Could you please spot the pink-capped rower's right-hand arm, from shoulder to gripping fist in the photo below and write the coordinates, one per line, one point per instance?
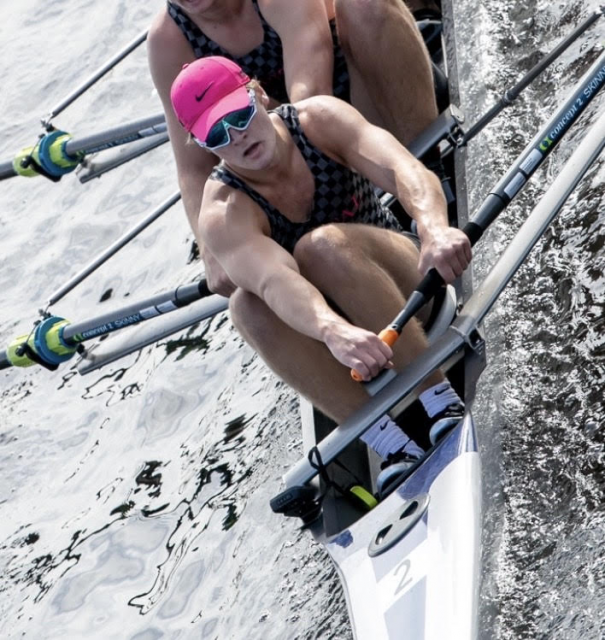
(340, 130)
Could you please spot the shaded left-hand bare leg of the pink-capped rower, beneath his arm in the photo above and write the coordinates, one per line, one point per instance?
(303, 363)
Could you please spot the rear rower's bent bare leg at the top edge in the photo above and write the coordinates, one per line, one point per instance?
(389, 67)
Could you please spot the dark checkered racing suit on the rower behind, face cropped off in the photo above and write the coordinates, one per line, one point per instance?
(265, 63)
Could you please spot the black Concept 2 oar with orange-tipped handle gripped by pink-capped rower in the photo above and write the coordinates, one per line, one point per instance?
(509, 186)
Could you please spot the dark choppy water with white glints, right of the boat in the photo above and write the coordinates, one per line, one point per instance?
(541, 397)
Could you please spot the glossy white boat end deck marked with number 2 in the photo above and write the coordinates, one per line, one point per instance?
(425, 587)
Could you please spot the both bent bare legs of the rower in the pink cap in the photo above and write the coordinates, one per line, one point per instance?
(364, 270)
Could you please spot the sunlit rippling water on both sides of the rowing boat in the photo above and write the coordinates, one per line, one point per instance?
(134, 500)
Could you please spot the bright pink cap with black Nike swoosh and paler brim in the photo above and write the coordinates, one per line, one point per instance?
(205, 91)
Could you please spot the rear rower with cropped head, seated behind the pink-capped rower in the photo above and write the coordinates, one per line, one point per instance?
(370, 53)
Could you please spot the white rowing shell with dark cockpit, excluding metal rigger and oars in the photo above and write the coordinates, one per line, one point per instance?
(410, 567)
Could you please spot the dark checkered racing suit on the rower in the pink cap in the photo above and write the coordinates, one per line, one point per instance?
(341, 195)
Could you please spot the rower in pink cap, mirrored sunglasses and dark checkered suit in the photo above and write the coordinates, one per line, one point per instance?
(290, 218)
